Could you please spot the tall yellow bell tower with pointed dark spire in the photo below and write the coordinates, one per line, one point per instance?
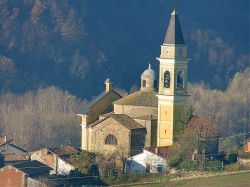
(172, 94)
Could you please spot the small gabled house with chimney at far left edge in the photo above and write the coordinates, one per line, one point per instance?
(11, 152)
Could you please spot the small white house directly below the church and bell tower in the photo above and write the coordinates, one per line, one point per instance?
(146, 161)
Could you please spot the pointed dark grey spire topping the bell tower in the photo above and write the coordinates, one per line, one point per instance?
(174, 33)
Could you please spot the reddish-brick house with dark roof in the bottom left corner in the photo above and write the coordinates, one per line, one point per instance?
(29, 173)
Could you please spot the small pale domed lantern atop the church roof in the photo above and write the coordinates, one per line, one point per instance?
(148, 79)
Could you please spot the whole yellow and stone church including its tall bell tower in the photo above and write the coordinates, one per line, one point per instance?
(146, 118)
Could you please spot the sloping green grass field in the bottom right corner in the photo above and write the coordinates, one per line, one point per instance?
(234, 180)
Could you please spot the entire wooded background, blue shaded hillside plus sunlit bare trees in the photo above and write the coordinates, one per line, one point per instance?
(51, 52)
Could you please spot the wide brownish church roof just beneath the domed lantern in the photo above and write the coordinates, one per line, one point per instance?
(139, 98)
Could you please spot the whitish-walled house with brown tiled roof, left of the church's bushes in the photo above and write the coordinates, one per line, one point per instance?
(56, 158)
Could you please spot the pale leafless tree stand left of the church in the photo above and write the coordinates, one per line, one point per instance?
(43, 118)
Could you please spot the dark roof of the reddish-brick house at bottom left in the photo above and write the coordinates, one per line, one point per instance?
(32, 168)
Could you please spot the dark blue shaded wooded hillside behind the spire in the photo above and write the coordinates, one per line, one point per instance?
(67, 43)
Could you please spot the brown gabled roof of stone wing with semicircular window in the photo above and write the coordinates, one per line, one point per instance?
(123, 119)
